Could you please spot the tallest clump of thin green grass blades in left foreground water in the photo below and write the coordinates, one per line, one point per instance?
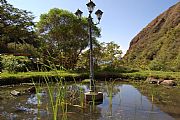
(56, 93)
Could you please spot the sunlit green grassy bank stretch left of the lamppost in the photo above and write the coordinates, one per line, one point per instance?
(29, 77)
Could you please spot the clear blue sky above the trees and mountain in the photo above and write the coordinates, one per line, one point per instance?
(121, 21)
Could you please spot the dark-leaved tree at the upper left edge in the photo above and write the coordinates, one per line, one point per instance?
(16, 26)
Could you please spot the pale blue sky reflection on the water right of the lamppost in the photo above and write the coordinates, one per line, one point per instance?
(130, 104)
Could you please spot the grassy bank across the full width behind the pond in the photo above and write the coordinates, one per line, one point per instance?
(9, 78)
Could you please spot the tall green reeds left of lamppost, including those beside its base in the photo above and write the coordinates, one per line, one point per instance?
(58, 93)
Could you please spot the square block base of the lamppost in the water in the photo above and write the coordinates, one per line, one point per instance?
(94, 96)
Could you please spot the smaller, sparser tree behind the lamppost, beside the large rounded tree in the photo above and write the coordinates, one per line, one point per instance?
(105, 55)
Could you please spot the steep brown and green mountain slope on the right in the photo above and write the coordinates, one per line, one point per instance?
(157, 46)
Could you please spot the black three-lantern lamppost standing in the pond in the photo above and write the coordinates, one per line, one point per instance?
(91, 5)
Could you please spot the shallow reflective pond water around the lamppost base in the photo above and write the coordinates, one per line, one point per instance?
(121, 102)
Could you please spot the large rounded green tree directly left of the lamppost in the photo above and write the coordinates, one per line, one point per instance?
(64, 36)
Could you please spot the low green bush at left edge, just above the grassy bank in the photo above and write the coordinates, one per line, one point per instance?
(15, 64)
